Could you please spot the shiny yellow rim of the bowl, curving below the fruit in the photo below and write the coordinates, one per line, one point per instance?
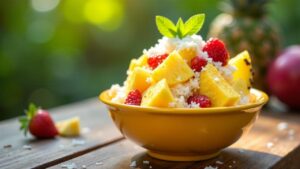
(262, 99)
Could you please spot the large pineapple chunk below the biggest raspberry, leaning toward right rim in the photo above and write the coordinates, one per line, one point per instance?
(213, 85)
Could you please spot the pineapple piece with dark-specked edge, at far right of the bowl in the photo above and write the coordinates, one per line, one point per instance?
(242, 77)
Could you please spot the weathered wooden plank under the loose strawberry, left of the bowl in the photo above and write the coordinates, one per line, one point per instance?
(44, 153)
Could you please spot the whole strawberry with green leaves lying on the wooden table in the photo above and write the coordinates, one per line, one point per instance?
(38, 122)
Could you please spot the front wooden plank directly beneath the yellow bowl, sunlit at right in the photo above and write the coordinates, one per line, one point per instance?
(264, 147)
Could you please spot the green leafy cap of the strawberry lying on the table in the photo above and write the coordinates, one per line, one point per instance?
(29, 114)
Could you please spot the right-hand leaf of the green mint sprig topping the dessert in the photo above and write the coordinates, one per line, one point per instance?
(194, 24)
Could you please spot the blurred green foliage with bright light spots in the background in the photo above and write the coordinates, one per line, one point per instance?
(53, 52)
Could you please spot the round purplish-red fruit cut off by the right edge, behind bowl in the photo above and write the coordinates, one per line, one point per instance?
(284, 77)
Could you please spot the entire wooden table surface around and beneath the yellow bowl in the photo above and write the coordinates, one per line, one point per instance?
(274, 142)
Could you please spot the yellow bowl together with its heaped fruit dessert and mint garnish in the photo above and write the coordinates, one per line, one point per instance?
(184, 99)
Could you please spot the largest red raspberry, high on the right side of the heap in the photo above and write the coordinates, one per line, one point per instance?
(216, 50)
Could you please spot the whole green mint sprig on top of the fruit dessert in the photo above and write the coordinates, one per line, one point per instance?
(182, 29)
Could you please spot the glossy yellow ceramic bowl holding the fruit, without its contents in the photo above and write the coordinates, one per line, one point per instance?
(184, 134)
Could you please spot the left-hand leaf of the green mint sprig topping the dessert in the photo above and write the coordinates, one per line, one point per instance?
(165, 26)
